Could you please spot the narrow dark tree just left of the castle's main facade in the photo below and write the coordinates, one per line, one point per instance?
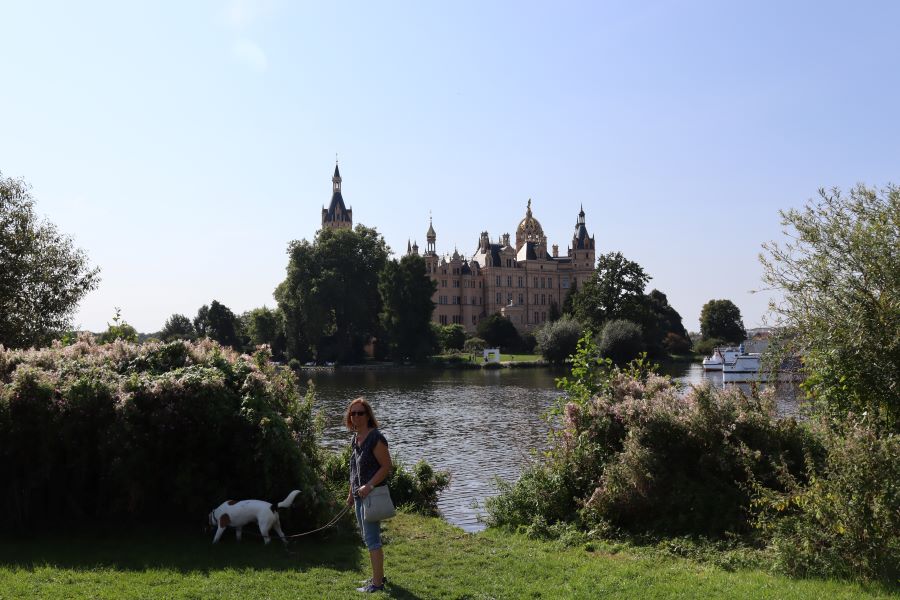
(406, 291)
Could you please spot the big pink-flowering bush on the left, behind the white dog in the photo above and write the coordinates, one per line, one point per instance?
(126, 433)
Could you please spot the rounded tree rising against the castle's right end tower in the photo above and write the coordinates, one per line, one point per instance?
(616, 291)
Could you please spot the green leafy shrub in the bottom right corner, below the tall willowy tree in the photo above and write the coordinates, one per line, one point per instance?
(846, 520)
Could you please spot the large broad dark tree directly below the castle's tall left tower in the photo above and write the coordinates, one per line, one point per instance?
(330, 296)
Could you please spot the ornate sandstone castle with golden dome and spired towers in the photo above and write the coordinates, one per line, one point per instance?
(521, 282)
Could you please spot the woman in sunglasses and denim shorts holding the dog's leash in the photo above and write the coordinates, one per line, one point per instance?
(370, 464)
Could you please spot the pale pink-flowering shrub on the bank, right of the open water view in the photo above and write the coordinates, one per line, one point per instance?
(632, 453)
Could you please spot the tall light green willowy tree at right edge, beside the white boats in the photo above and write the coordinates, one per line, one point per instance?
(840, 278)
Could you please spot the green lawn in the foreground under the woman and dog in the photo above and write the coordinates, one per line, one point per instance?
(425, 558)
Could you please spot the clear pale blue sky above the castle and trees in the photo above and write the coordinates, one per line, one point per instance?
(184, 144)
